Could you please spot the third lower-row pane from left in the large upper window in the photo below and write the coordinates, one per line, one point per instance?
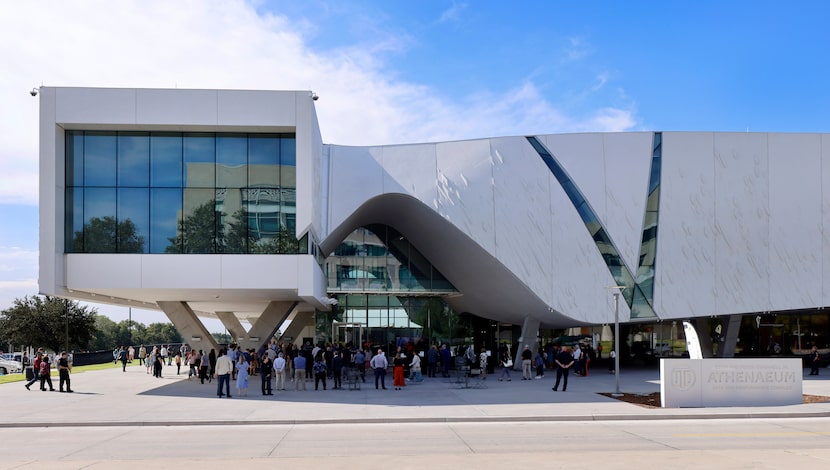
(133, 220)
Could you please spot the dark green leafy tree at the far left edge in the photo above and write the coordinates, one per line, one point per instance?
(45, 321)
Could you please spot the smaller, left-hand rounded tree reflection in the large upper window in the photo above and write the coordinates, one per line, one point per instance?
(104, 235)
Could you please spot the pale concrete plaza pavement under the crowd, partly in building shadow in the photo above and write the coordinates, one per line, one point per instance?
(115, 398)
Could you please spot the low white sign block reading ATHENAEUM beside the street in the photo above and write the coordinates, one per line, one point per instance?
(695, 383)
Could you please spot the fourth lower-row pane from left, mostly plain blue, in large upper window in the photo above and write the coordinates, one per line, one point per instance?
(165, 209)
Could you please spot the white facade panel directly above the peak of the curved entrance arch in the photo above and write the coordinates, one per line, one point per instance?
(411, 169)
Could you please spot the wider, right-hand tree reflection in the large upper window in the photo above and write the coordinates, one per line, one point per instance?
(199, 232)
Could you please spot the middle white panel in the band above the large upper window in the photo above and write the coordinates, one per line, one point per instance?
(176, 107)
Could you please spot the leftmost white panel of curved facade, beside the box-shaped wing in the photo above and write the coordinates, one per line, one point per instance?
(356, 177)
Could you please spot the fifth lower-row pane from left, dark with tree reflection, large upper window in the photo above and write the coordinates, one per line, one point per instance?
(197, 233)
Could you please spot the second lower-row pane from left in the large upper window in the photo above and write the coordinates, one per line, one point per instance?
(99, 220)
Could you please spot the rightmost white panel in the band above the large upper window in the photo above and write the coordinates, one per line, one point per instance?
(263, 108)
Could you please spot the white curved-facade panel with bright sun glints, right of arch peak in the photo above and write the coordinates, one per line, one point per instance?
(465, 193)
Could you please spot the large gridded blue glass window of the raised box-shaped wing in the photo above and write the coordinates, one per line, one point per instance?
(168, 192)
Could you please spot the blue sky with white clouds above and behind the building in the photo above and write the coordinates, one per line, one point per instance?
(391, 72)
